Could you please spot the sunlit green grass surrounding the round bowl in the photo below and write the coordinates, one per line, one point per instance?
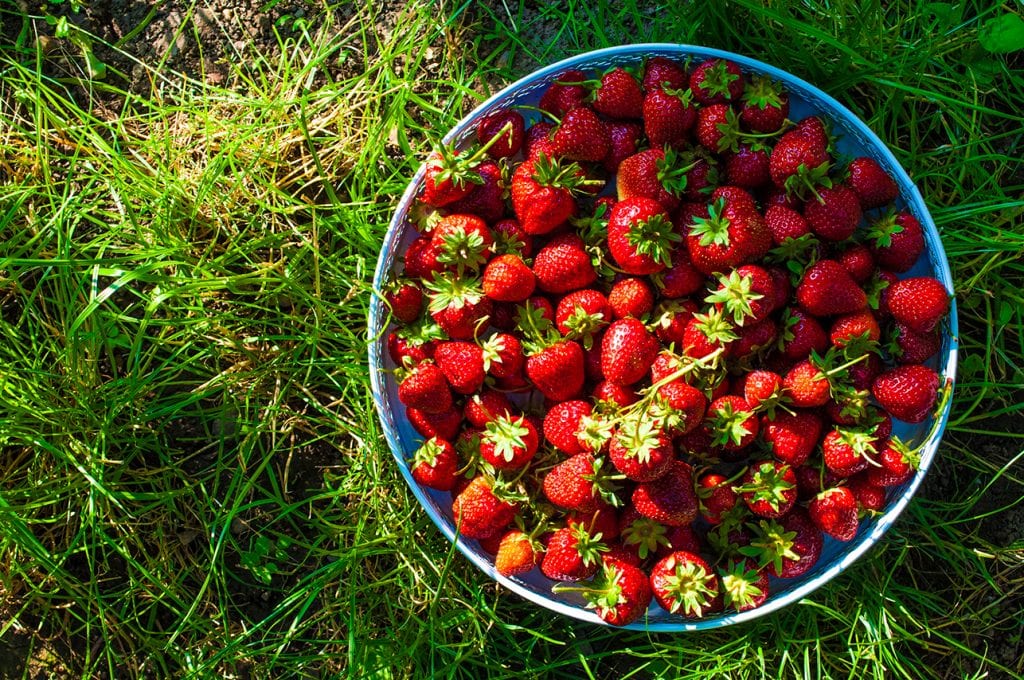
(193, 482)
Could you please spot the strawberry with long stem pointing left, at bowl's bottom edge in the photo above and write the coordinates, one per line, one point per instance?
(620, 593)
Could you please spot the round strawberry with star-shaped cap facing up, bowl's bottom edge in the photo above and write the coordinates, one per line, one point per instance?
(685, 584)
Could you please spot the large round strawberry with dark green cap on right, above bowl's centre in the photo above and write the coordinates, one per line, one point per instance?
(642, 236)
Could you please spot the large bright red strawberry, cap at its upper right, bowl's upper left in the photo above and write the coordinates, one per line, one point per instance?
(543, 191)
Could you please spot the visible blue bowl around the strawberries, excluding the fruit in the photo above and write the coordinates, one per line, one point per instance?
(856, 139)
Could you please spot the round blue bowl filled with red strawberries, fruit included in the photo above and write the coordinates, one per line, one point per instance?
(665, 337)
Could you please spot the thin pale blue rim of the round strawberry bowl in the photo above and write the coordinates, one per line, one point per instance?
(882, 524)
